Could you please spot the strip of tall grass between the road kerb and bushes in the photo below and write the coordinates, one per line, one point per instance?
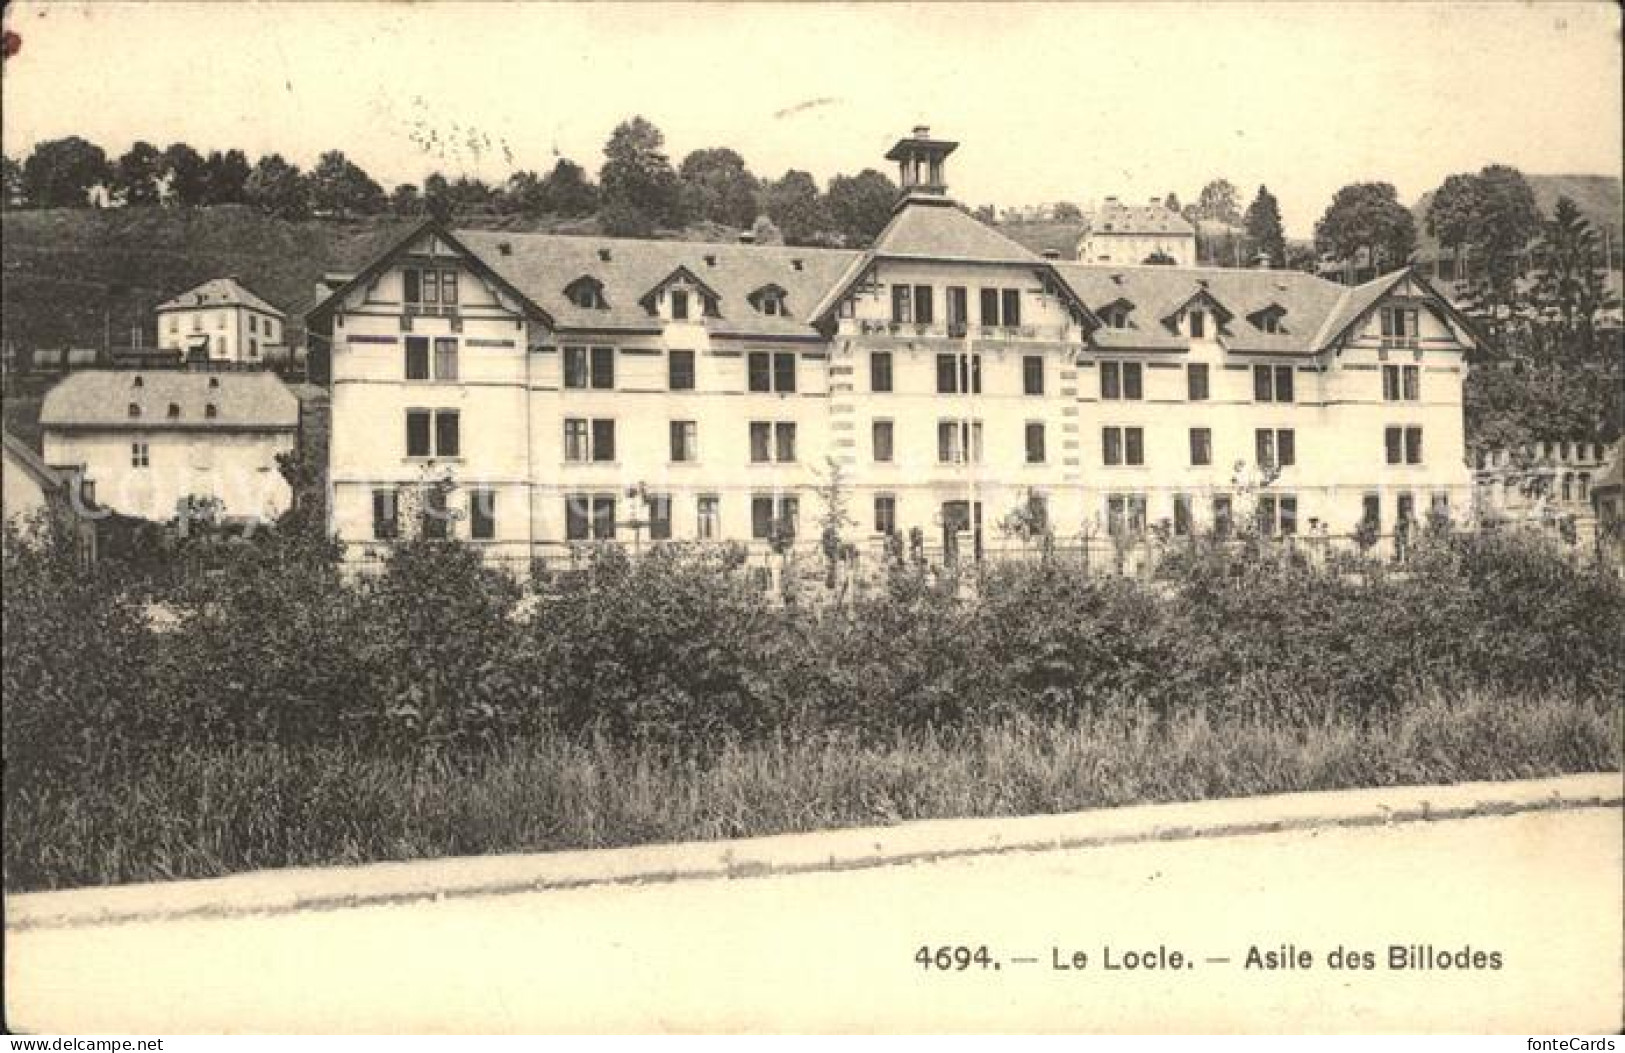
(209, 812)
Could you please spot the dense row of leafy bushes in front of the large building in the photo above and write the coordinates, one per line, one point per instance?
(440, 656)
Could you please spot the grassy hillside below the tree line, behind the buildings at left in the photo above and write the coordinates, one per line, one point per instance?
(58, 264)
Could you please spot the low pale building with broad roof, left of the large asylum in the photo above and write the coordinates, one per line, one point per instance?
(147, 441)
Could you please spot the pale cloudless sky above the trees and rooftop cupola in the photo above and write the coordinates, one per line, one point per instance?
(1051, 102)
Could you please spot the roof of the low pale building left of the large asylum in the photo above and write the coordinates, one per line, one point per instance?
(102, 399)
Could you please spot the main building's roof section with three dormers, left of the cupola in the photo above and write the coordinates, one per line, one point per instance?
(545, 264)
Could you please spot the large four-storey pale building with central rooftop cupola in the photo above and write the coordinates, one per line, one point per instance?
(948, 378)
